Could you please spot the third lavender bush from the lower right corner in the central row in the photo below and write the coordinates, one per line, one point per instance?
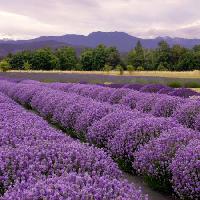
(135, 133)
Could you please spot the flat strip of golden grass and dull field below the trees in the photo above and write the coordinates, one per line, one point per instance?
(189, 79)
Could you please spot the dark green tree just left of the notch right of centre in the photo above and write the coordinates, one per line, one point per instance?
(113, 56)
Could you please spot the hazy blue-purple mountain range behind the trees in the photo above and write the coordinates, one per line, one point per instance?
(123, 41)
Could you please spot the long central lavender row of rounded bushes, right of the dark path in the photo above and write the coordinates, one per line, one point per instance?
(147, 143)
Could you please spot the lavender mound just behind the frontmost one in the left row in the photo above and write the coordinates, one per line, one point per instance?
(47, 158)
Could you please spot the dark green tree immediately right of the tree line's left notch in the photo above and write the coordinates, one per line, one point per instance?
(86, 60)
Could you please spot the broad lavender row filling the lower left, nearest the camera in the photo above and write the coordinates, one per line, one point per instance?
(37, 161)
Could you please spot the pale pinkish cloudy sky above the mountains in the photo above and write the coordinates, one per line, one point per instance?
(25, 19)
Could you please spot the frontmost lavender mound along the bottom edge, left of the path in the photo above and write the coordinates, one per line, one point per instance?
(75, 186)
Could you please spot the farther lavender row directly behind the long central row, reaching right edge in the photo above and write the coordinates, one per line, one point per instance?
(185, 112)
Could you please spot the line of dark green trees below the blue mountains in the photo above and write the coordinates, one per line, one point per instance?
(163, 58)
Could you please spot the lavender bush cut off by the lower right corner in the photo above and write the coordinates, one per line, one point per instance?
(186, 171)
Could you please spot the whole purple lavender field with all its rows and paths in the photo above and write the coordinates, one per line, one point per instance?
(93, 137)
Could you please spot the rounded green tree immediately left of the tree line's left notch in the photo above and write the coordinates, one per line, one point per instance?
(67, 58)
